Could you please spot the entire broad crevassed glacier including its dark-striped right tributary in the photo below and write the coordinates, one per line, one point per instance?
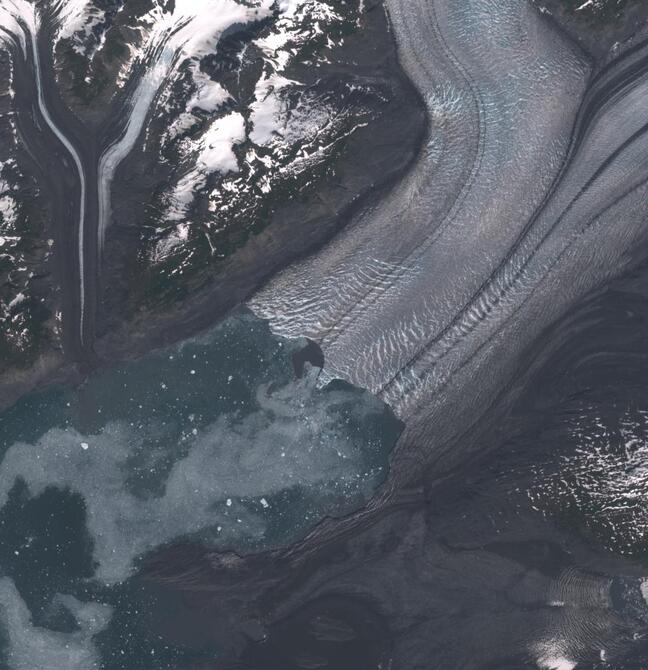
(528, 196)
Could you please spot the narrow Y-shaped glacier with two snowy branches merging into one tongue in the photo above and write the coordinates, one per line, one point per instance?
(172, 36)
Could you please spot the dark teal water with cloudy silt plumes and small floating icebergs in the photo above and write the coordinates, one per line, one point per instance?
(213, 442)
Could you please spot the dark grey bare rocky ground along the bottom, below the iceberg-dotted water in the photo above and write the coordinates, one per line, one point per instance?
(432, 584)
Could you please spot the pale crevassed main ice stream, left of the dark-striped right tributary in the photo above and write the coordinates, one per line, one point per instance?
(404, 271)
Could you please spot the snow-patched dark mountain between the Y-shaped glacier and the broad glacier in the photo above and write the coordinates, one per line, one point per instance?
(225, 142)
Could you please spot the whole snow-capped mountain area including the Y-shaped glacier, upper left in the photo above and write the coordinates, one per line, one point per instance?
(195, 127)
